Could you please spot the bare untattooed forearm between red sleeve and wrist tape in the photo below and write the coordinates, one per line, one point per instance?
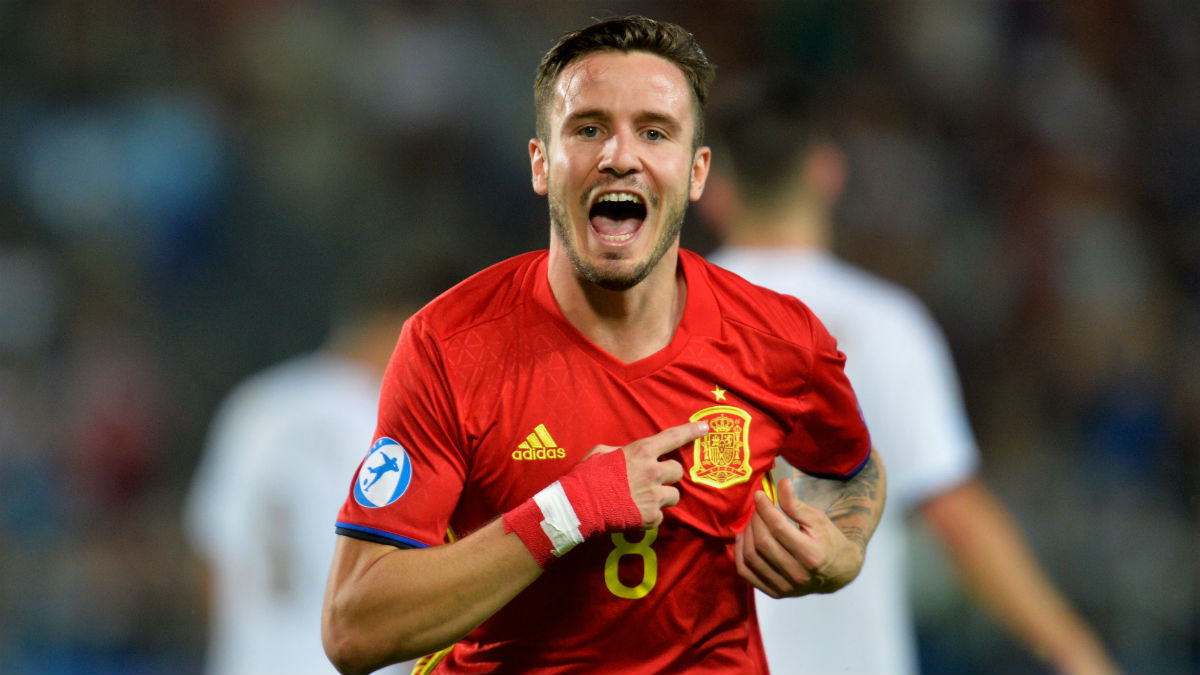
(387, 605)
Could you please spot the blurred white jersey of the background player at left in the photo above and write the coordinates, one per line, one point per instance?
(260, 505)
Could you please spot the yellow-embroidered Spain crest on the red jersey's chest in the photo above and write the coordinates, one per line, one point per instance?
(722, 458)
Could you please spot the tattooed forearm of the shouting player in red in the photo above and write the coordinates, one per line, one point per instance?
(855, 506)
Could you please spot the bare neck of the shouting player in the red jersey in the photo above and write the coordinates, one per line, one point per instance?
(629, 325)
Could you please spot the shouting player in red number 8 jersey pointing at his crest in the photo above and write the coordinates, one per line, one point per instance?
(583, 435)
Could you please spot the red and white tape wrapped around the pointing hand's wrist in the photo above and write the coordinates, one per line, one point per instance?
(593, 498)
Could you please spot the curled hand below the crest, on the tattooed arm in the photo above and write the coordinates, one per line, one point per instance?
(785, 560)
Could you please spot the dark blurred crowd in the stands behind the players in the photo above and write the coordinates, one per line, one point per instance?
(183, 184)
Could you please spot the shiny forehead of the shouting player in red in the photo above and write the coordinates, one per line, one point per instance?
(631, 82)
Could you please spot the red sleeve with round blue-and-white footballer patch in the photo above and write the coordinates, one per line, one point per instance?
(409, 485)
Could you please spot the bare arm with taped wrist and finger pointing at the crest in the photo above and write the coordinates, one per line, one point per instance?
(385, 605)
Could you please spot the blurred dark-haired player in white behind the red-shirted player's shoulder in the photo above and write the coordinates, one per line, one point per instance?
(771, 199)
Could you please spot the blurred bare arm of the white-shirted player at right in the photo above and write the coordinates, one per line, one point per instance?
(999, 569)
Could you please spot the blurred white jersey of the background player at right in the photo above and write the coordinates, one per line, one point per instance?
(904, 377)
